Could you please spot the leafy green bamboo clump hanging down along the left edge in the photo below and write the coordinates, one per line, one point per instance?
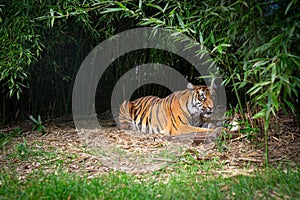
(20, 46)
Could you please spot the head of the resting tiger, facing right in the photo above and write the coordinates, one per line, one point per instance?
(202, 100)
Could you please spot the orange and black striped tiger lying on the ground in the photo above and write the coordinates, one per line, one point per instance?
(181, 112)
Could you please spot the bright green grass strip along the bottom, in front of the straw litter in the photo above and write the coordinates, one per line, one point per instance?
(174, 183)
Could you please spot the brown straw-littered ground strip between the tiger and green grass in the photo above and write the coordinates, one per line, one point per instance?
(112, 149)
